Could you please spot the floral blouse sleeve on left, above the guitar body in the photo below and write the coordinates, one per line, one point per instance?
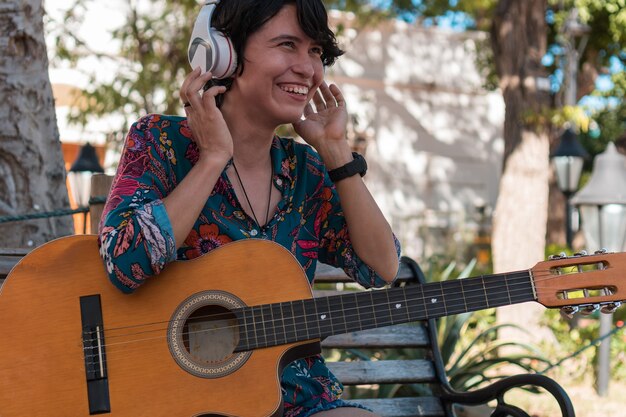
(136, 237)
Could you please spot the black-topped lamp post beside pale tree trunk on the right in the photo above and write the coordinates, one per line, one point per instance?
(568, 161)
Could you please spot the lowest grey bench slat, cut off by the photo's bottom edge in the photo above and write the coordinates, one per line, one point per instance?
(404, 407)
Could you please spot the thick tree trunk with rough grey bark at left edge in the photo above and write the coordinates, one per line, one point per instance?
(32, 173)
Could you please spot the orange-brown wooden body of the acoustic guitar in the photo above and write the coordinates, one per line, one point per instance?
(42, 361)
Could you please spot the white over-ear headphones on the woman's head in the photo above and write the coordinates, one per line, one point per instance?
(209, 48)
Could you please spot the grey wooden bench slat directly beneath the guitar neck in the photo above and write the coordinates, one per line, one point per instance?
(399, 336)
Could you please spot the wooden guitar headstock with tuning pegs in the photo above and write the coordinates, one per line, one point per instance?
(581, 282)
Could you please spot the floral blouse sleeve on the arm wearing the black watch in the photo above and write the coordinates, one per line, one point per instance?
(335, 246)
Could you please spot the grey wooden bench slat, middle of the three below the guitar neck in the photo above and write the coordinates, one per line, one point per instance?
(383, 372)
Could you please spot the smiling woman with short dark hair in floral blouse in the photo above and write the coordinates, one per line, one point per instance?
(187, 185)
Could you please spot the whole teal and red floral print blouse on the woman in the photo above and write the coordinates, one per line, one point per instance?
(136, 238)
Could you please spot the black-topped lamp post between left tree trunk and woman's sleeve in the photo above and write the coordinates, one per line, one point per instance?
(79, 176)
